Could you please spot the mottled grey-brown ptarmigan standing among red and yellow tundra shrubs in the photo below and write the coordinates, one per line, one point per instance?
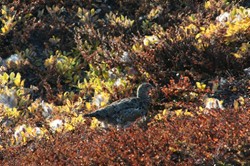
(127, 110)
